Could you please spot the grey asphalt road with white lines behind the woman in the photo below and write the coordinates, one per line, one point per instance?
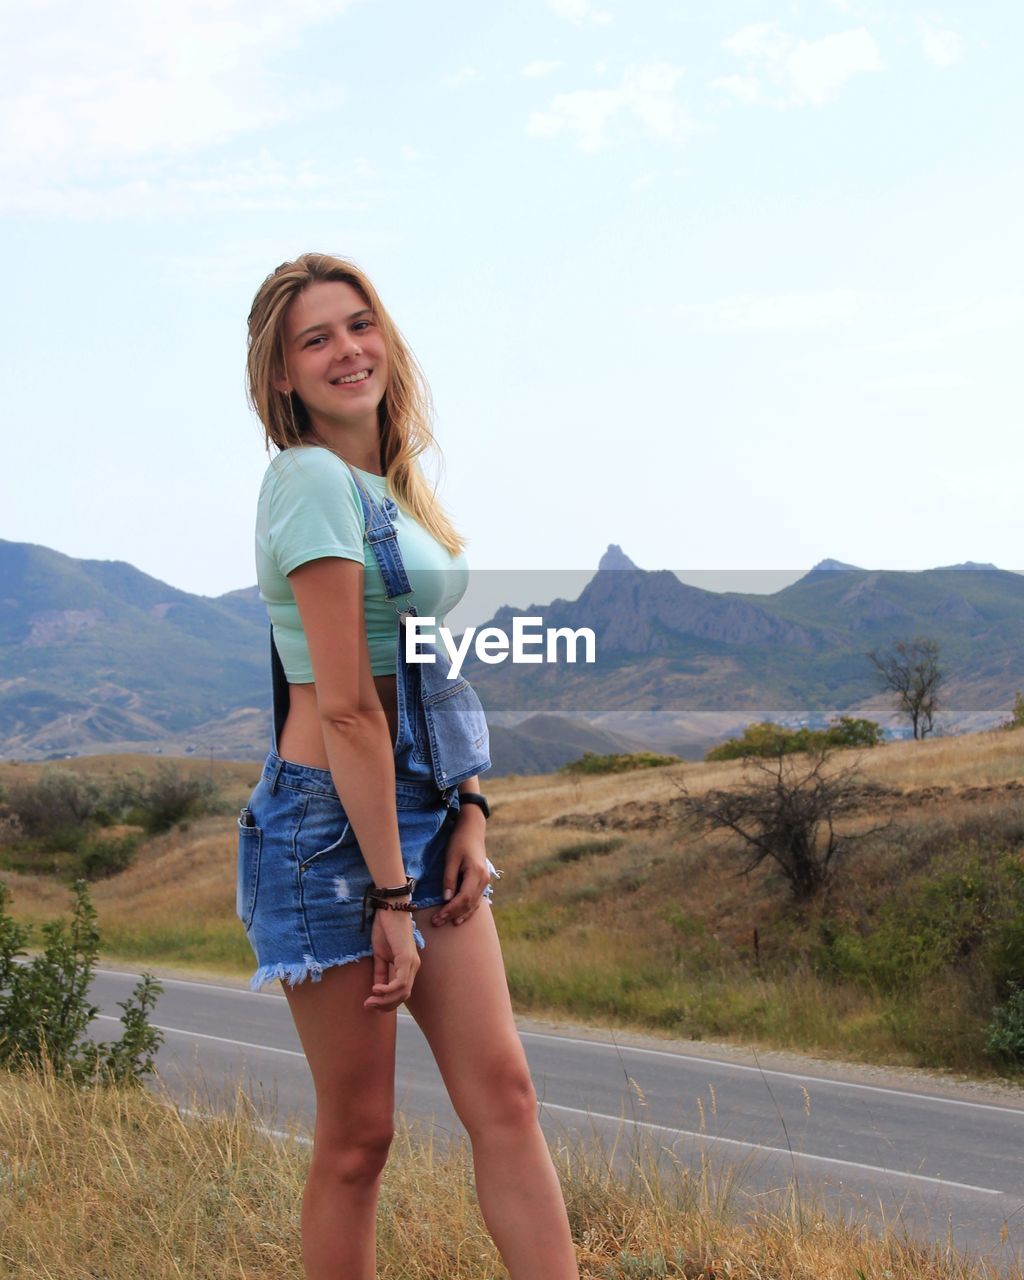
(939, 1164)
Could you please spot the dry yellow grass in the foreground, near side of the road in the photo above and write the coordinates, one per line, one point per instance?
(122, 1185)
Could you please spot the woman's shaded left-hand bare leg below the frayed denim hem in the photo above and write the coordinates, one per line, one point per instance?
(351, 1057)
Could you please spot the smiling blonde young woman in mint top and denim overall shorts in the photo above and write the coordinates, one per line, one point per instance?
(360, 844)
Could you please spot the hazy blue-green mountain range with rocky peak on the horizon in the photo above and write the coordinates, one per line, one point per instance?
(99, 656)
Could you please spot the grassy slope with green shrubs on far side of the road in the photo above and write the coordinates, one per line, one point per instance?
(618, 909)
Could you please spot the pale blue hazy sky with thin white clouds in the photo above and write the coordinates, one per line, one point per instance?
(735, 286)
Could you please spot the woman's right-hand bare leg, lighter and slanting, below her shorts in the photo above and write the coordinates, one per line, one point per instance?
(461, 1003)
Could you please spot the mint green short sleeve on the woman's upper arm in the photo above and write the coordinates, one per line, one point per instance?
(314, 510)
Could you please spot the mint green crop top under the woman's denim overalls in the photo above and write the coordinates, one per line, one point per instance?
(309, 509)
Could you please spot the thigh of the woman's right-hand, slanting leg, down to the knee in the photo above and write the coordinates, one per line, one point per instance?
(463, 1005)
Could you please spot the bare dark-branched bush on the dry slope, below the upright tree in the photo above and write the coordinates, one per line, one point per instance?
(787, 811)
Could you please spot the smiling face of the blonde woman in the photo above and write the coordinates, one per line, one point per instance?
(336, 358)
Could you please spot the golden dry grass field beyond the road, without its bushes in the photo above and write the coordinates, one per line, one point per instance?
(615, 915)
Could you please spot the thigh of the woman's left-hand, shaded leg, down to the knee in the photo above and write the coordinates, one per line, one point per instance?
(350, 1052)
